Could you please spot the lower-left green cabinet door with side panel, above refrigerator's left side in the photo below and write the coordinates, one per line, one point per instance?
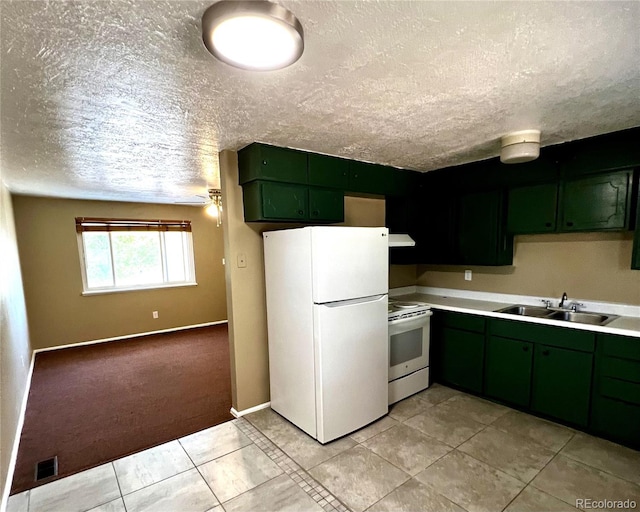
(266, 200)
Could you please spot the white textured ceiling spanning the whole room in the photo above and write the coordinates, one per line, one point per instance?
(120, 100)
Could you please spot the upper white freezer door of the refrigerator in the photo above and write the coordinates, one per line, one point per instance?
(349, 263)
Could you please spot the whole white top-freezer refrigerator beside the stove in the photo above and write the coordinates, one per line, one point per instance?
(326, 289)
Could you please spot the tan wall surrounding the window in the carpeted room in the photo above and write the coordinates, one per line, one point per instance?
(58, 312)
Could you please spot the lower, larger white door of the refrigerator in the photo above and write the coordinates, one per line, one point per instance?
(352, 364)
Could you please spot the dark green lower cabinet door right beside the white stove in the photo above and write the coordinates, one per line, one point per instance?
(460, 358)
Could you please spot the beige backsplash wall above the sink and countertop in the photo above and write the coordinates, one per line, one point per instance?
(588, 266)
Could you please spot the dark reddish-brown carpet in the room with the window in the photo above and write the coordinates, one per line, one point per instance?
(93, 404)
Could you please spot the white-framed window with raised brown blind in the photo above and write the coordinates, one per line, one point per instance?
(123, 254)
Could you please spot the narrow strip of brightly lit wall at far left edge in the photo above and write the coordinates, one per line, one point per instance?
(15, 350)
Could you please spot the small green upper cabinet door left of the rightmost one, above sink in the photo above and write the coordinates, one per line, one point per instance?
(532, 209)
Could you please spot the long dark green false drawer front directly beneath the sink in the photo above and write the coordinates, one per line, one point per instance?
(553, 336)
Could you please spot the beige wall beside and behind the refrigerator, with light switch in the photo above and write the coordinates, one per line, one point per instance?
(246, 289)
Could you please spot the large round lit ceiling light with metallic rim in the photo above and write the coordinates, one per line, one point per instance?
(252, 34)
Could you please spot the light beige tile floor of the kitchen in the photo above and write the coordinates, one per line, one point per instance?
(440, 450)
